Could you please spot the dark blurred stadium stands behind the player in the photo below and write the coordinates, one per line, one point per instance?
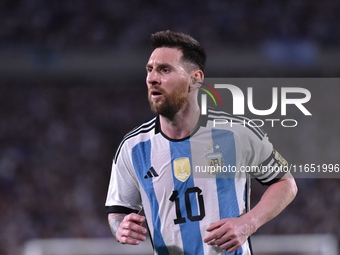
(73, 83)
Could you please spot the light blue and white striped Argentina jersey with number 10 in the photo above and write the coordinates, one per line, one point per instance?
(186, 185)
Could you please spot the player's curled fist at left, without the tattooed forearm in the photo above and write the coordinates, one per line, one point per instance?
(130, 229)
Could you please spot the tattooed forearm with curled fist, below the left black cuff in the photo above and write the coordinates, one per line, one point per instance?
(126, 228)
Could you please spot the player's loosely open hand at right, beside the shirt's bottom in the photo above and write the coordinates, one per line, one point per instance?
(230, 233)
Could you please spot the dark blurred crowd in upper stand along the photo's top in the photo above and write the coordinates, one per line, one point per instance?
(62, 24)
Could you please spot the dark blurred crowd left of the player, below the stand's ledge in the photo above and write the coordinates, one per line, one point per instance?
(56, 150)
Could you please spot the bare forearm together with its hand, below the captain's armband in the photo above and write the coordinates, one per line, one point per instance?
(230, 234)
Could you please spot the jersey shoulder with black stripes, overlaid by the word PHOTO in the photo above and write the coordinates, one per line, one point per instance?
(236, 123)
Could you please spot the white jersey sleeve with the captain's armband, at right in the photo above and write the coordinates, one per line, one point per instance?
(263, 162)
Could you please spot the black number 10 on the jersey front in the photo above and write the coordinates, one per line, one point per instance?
(175, 198)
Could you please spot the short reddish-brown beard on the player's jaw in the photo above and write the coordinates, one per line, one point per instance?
(171, 105)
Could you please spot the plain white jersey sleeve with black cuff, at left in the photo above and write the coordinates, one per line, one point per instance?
(123, 194)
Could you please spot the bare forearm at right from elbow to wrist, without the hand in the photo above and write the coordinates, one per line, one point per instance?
(274, 200)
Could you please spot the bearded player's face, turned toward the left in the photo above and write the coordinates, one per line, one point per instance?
(168, 82)
